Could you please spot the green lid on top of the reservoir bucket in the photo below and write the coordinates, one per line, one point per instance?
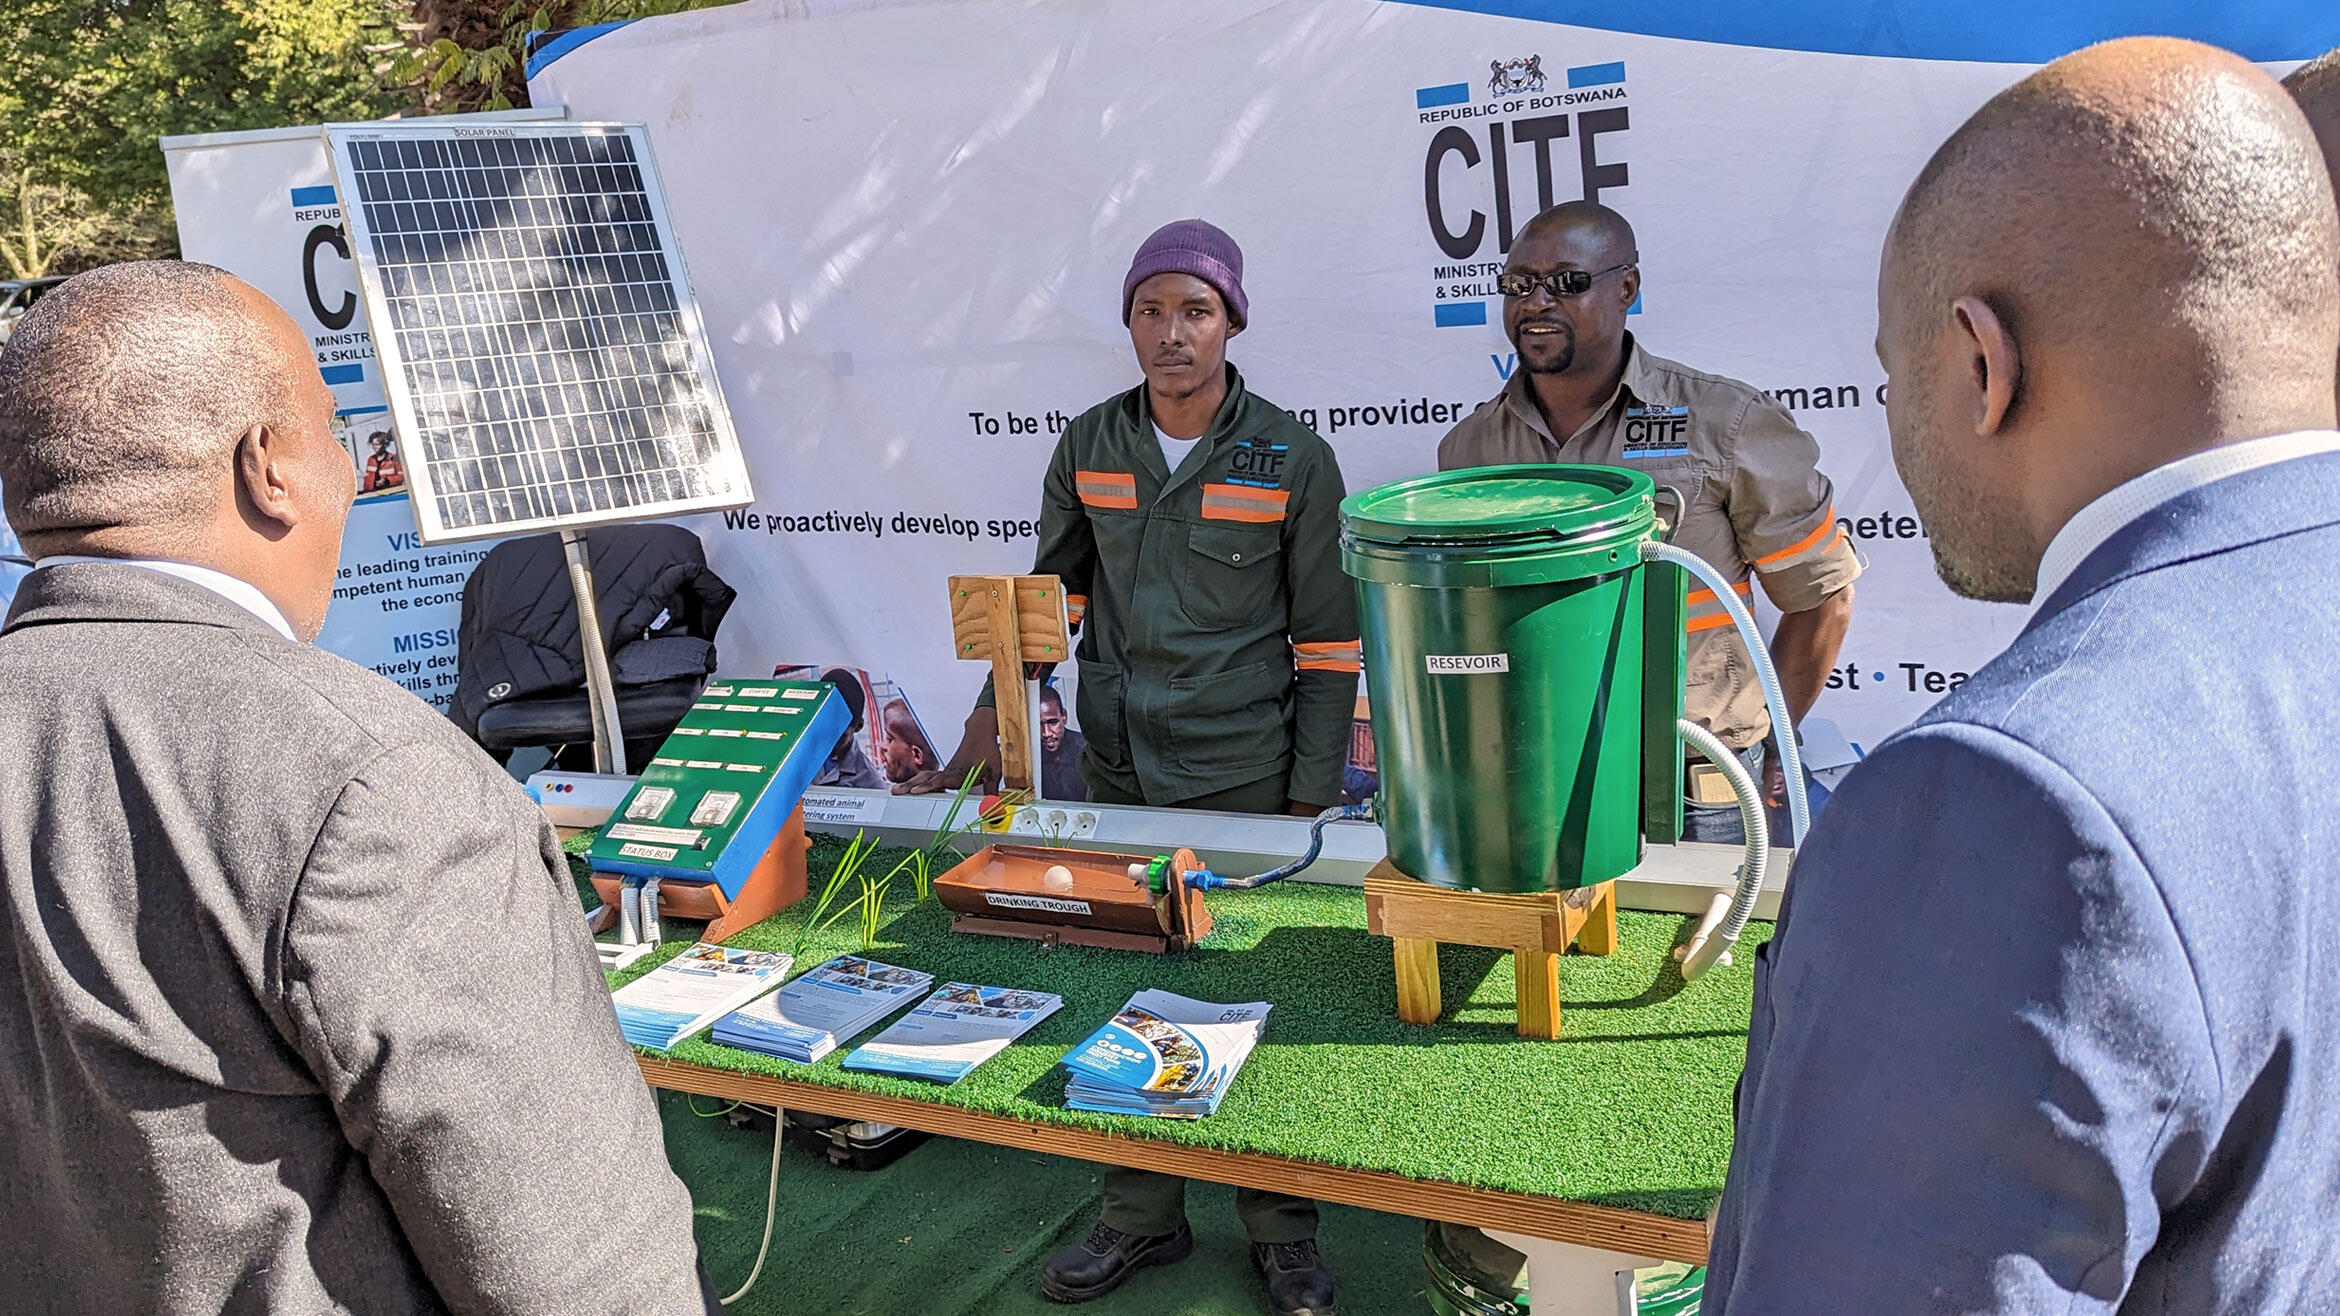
(1501, 523)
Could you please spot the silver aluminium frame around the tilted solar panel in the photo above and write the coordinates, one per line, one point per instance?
(727, 465)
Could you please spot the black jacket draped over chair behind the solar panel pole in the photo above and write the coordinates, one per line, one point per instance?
(521, 671)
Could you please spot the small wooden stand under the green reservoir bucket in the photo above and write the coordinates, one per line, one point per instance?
(1536, 928)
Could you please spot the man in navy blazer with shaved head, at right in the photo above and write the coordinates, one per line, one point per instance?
(2053, 1013)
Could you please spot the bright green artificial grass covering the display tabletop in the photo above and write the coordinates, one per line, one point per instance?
(1630, 1109)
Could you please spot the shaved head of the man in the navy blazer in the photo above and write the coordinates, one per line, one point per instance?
(2124, 259)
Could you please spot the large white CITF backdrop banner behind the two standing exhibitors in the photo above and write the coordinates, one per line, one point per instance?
(909, 228)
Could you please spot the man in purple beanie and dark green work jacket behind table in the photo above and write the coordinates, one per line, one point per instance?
(1197, 530)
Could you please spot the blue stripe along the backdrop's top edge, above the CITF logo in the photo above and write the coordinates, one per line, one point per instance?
(1993, 32)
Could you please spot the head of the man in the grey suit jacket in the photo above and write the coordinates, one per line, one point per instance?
(170, 411)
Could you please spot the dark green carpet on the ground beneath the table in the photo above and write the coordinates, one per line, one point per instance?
(963, 1231)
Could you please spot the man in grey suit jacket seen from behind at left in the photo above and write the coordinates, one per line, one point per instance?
(296, 1001)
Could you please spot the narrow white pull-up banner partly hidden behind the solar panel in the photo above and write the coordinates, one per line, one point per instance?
(263, 207)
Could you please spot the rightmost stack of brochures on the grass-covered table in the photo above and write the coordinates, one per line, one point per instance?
(1164, 1055)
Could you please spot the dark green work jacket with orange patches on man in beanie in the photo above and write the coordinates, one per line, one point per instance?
(1218, 631)
